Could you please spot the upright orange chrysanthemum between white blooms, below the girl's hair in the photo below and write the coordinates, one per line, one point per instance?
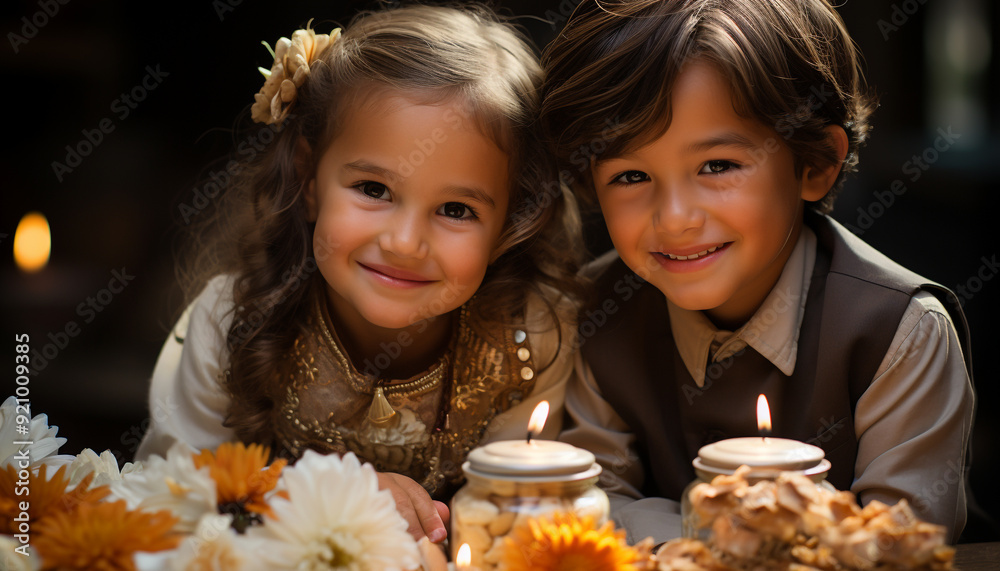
(240, 478)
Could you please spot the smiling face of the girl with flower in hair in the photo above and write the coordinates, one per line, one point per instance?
(409, 201)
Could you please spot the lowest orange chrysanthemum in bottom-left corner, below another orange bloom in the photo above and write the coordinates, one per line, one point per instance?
(102, 537)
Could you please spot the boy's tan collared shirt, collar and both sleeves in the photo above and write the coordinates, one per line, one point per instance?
(913, 423)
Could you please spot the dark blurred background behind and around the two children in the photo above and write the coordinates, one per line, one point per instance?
(934, 65)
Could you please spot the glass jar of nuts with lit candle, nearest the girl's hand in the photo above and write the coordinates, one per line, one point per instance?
(509, 482)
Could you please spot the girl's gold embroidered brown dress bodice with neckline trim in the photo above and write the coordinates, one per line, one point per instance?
(443, 412)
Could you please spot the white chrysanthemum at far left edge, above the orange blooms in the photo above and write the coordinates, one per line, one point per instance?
(44, 443)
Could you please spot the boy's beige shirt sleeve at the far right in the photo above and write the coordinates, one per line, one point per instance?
(914, 422)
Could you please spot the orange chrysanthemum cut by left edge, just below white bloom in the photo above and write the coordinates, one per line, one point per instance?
(47, 496)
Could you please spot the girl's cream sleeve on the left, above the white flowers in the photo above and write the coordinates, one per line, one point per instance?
(186, 401)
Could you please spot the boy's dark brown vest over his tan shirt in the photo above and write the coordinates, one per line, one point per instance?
(855, 301)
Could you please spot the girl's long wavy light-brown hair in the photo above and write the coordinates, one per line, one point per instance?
(436, 54)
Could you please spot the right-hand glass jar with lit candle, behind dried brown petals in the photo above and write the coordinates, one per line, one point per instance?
(766, 458)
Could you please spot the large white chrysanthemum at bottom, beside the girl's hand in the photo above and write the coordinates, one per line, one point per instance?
(335, 518)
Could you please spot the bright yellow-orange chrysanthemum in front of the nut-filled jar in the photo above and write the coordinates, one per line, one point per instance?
(566, 542)
